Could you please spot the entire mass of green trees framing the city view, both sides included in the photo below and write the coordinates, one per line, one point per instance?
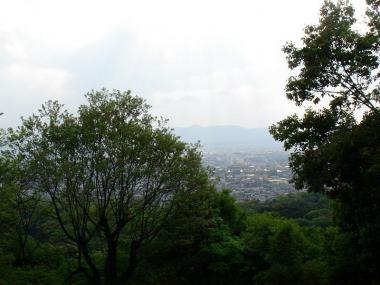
(109, 195)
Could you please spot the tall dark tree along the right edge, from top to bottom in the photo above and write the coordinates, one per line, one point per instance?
(336, 144)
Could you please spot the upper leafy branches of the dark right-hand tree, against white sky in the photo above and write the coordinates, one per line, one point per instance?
(334, 61)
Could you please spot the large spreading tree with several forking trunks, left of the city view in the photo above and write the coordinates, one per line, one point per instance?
(110, 171)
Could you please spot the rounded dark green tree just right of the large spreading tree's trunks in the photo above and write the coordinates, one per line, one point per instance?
(198, 244)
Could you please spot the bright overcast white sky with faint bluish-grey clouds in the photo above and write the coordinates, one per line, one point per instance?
(199, 62)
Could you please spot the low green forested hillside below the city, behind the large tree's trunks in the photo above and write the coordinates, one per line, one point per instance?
(208, 239)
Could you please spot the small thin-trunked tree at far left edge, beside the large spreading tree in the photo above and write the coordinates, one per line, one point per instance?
(23, 216)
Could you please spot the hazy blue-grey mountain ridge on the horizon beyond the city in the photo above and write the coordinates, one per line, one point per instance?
(229, 137)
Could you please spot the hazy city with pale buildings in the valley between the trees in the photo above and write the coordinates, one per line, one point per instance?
(249, 174)
